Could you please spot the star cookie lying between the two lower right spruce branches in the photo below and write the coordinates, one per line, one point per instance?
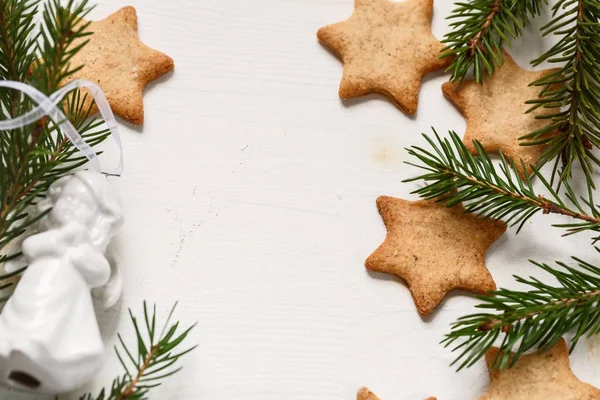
(434, 248)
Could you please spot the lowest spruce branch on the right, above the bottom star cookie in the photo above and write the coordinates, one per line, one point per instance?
(536, 318)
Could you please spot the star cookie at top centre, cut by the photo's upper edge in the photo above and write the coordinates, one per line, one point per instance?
(386, 48)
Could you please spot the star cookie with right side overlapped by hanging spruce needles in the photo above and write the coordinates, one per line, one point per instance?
(495, 111)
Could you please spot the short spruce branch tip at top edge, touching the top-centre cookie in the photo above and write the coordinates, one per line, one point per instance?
(480, 29)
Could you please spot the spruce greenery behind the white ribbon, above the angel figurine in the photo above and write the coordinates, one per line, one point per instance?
(32, 158)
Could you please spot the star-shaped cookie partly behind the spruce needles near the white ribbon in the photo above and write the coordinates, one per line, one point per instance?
(119, 63)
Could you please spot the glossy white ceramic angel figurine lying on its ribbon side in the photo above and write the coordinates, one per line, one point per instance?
(49, 336)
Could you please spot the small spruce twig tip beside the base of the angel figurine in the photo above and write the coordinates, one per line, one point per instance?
(155, 360)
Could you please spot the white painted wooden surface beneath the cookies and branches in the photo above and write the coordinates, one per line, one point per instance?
(251, 199)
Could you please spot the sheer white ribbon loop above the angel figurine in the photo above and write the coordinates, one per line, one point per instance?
(48, 106)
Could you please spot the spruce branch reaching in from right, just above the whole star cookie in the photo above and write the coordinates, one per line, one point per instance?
(454, 175)
